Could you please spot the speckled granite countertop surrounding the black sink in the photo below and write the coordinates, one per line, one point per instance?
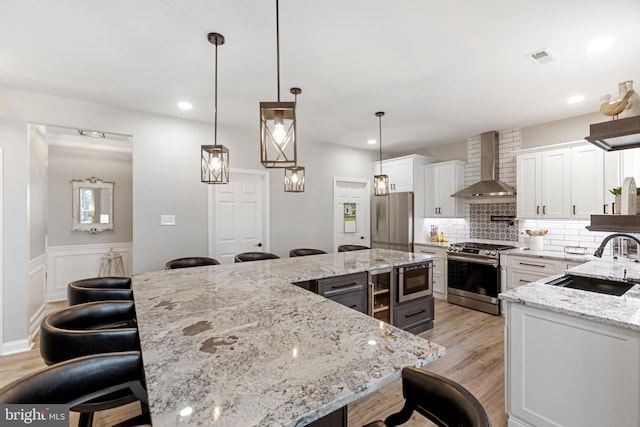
(622, 311)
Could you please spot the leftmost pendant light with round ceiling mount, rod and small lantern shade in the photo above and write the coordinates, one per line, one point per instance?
(214, 163)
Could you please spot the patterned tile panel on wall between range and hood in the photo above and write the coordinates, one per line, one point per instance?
(493, 221)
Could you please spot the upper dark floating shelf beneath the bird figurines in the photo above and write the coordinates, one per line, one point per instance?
(613, 135)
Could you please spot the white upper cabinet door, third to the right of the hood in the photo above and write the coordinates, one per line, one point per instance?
(587, 184)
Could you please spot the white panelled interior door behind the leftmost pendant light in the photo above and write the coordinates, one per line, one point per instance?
(239, 215)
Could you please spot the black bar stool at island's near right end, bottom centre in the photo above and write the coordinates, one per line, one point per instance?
(440, 400)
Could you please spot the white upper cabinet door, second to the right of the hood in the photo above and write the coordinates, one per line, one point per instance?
(556, 196)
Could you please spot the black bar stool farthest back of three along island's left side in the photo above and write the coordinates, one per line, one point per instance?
(99, 289)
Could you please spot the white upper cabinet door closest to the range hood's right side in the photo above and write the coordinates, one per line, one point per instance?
(529, 193)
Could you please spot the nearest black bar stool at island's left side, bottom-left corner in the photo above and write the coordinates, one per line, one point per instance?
(84, 384)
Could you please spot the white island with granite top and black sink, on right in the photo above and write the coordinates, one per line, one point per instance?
(572, 356)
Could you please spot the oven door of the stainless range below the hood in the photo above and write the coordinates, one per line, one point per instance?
(473, 282)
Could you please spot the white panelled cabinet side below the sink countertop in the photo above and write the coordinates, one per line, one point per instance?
(566, 371)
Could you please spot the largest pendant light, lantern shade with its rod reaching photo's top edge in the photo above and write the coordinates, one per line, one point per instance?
(277, 124)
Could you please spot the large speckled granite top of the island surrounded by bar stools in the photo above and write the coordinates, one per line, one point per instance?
(238, 345)
